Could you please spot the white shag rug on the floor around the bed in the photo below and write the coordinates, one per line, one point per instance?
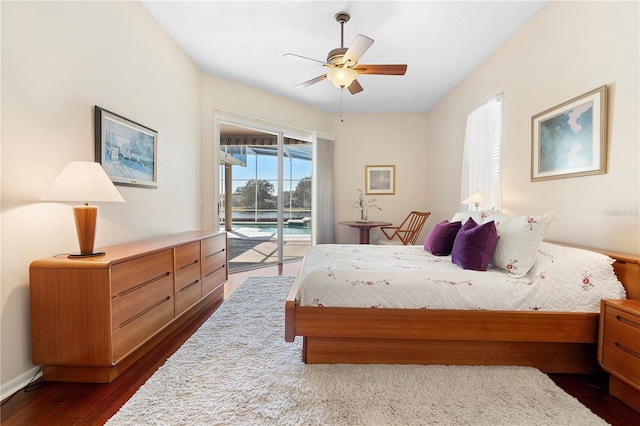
(238, 370)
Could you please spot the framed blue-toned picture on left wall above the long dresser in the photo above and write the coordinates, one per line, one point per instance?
(126, 150)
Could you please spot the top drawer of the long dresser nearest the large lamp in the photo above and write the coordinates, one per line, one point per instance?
(138, 271)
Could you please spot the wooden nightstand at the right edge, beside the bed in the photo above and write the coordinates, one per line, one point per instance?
(619, 348)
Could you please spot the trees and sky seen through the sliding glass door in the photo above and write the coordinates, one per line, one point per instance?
(254, 189)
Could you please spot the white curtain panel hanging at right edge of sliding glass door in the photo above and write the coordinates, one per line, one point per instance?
(323, 220)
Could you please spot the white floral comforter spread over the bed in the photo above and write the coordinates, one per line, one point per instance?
(562, 279)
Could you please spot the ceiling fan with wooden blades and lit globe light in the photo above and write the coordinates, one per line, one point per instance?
(343, 62)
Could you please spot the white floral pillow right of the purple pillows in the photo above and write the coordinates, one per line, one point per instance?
(518, 241)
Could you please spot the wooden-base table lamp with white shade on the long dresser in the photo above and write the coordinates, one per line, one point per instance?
(84, 181)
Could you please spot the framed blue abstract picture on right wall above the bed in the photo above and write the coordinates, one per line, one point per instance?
(570, 139)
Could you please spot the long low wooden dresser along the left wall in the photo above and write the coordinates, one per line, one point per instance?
(91, 318)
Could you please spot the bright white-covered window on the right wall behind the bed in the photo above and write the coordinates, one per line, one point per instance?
(482, 152)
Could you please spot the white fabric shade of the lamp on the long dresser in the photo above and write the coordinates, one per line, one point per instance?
(83, 181)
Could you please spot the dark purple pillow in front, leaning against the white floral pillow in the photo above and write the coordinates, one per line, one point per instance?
(474, 245)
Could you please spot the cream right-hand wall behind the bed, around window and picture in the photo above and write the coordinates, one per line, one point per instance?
(568, 49)
